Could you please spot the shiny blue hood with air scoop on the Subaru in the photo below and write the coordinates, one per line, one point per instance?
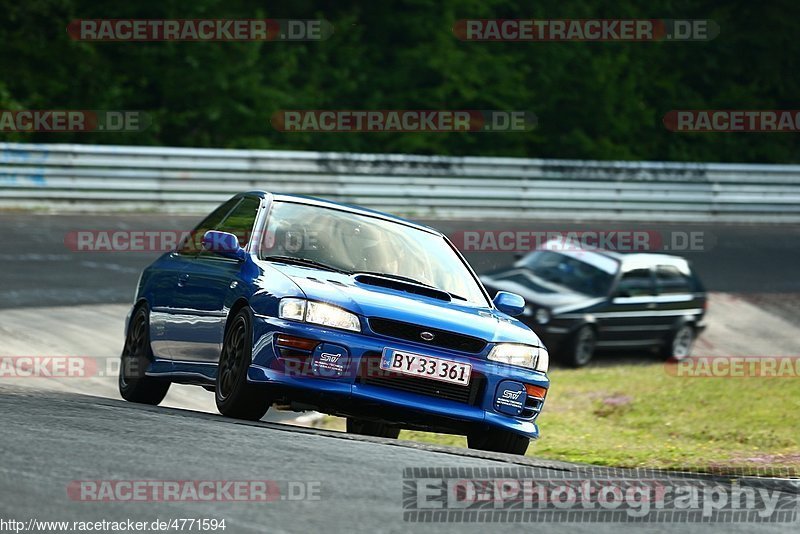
(373, 301)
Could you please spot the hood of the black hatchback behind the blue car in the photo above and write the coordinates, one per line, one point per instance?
(520, 281)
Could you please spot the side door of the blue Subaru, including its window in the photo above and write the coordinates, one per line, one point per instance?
(207, 282)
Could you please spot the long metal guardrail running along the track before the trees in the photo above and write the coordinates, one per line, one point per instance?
(114, 178)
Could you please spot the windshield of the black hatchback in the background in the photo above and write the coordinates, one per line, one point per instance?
(581, 272)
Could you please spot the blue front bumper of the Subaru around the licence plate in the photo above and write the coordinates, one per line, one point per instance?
(358, 387)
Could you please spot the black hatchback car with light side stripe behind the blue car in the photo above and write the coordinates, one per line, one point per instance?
(579, 300)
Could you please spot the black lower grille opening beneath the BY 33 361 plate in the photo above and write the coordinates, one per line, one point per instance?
(371, 374)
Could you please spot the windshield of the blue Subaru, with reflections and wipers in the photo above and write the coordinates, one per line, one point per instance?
(361, 244)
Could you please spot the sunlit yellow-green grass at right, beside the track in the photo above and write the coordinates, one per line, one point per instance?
(640, 416)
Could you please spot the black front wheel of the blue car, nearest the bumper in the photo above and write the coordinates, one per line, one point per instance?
(234, 395)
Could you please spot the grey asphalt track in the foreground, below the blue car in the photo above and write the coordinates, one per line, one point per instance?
(50, 440)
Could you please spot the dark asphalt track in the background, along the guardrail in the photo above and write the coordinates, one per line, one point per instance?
(38, 269)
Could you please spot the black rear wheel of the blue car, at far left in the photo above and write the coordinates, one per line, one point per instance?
(134, 384)
